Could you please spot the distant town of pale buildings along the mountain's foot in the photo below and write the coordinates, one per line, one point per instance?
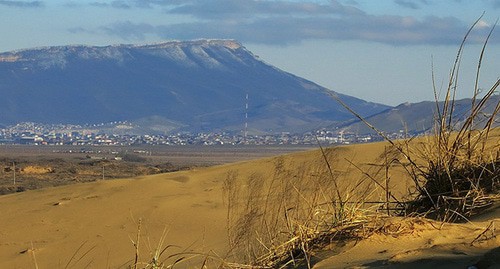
(29, 133)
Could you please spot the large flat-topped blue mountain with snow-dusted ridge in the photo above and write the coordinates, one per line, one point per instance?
(191, 85)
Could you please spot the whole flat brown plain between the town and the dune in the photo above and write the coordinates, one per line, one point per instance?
(34, 167)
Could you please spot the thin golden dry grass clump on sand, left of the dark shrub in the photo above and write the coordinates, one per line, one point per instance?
(281, 219)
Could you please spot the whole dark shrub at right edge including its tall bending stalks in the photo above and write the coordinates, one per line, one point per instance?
(458, 168)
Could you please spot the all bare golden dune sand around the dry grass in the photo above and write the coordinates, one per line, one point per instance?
(91, 225)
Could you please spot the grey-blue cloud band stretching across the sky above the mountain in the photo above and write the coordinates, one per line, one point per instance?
(288, 22)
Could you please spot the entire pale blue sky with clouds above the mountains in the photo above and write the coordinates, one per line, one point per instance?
(383, 51)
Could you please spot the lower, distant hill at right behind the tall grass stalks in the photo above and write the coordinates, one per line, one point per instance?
(419, 117)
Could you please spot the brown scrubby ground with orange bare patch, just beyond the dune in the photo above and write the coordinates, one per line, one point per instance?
(40, 172)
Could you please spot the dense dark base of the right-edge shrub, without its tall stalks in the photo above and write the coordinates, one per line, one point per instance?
(459, 180)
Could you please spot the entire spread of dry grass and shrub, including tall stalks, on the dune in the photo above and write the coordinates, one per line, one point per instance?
(455, 172)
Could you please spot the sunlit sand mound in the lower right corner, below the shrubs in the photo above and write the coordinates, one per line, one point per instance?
(420, 243)
